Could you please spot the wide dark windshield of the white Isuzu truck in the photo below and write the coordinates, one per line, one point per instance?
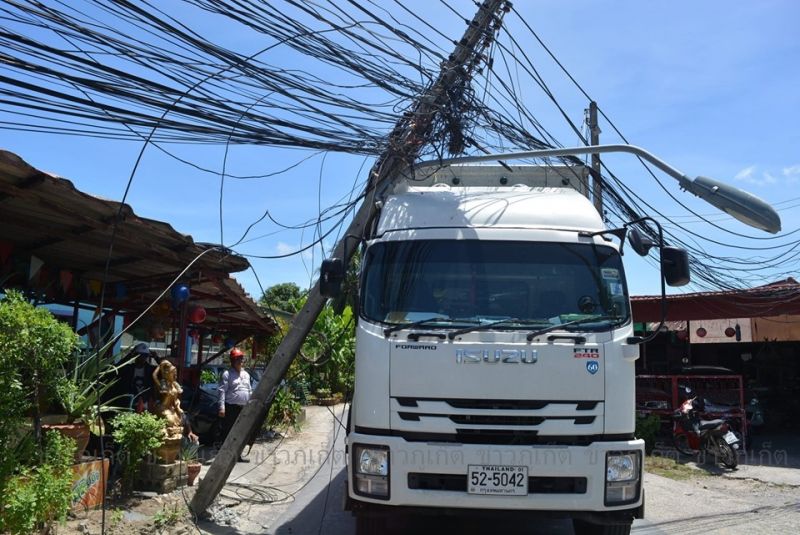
(461, 283)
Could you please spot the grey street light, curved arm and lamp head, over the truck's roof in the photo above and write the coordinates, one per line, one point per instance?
(738, 203)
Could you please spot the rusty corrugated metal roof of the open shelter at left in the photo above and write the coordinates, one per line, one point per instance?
(45, 216)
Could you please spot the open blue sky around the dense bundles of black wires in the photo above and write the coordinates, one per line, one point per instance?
(711, 87)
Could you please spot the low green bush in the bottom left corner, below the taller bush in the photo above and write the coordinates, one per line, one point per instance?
(35, 497)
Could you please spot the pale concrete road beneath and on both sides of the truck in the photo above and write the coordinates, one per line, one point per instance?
(297, 488)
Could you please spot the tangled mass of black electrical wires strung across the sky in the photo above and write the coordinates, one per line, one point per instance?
(323, 76)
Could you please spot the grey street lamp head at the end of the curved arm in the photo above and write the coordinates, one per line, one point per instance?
(737, 203)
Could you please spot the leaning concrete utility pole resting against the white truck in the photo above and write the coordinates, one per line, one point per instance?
(402, 149)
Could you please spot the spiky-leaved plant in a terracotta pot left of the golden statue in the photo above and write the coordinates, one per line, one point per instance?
(82, 394)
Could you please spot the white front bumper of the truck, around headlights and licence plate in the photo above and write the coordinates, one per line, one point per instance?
(433, 477)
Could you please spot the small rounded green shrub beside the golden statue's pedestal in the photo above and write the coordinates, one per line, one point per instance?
(138, 434)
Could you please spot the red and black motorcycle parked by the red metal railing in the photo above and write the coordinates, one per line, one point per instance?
(692, 436)
